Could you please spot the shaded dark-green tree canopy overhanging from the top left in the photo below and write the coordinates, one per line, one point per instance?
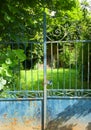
(23, 20)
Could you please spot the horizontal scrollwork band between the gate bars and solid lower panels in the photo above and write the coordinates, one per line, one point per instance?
(51, 93)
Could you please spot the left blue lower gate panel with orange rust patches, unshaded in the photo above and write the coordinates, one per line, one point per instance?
(20, 115)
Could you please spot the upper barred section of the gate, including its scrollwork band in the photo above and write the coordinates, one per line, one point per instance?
(66, 69)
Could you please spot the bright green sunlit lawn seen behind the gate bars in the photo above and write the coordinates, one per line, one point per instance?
(61, 79)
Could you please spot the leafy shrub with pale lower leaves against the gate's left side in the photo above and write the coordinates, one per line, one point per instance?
(10, 61)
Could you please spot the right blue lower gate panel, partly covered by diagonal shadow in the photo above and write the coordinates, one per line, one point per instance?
(69, 114)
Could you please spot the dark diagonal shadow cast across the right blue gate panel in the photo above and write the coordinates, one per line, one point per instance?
(72, 116)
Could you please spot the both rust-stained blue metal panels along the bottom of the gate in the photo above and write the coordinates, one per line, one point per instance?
(62, 114)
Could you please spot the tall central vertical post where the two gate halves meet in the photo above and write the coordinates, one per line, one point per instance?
(45, 69)
